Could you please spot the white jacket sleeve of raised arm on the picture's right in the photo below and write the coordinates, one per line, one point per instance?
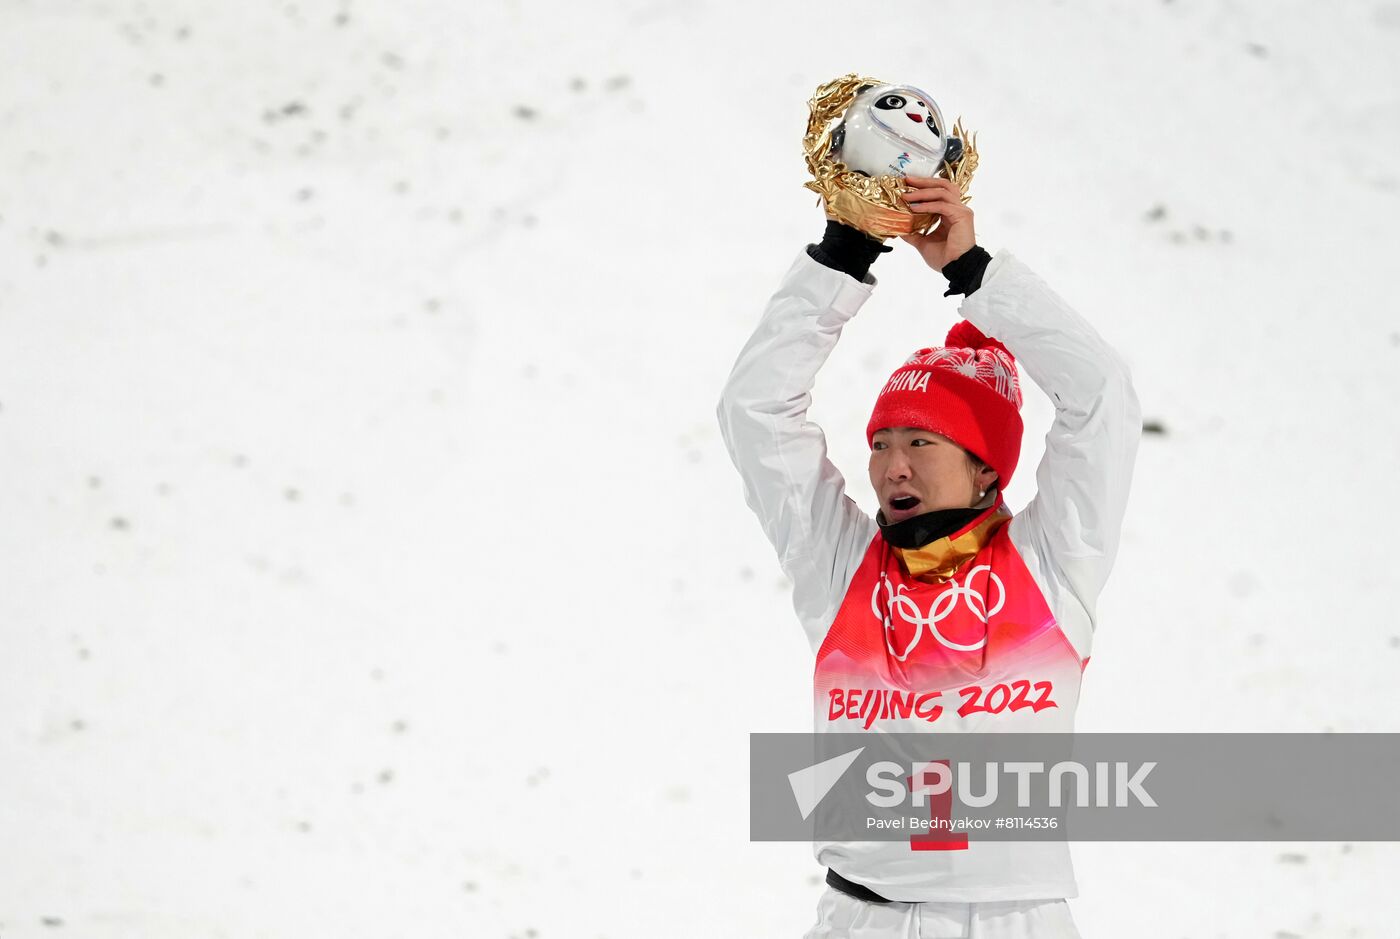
(1069, 534)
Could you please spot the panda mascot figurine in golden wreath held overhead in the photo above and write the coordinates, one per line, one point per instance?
(885, 132)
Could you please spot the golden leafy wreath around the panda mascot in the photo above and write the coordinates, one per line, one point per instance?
(871, 204)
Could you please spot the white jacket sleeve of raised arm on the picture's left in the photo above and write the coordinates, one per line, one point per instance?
(789, 482)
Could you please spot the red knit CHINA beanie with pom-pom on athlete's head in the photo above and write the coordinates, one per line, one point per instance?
(967, 391)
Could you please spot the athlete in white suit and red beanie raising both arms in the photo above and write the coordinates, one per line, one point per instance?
(946, 614)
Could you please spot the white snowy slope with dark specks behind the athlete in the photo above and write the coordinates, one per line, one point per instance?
(373, 566)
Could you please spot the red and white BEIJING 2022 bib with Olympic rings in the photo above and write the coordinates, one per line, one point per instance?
(978, 651)
